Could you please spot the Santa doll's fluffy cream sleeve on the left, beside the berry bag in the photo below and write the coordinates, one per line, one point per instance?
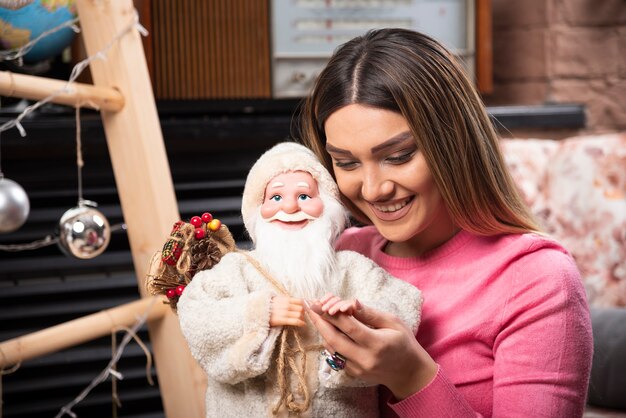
(224, 317)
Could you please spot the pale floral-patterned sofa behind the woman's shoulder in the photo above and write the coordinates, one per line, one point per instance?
(576, 187)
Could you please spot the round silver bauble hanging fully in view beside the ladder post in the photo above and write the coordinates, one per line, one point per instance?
(84, 232)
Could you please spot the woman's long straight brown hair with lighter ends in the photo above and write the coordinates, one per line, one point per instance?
(412, 74)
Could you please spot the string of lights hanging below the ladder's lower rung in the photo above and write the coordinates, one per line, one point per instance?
(131, 333)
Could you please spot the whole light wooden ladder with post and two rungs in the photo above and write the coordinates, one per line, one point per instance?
(123, 93)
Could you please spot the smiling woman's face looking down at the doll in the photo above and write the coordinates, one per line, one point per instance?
(382, 172)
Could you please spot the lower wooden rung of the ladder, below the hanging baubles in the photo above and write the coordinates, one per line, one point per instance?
(78, 331)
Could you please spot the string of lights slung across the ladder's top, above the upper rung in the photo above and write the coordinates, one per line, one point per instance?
(76, 71)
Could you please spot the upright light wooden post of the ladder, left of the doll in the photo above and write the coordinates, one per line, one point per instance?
(144, 184)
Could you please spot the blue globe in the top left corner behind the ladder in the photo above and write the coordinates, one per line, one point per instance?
(23, 20)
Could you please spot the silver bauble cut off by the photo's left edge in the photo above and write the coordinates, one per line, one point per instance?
(14, 205)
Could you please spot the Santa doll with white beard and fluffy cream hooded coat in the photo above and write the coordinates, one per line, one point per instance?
(245, 319)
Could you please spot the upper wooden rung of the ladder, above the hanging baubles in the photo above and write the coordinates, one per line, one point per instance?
(37, 88)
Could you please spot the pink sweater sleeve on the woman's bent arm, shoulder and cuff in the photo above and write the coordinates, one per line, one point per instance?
(541, 354)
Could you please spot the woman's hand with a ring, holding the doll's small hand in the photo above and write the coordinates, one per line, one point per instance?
(378, 347)
